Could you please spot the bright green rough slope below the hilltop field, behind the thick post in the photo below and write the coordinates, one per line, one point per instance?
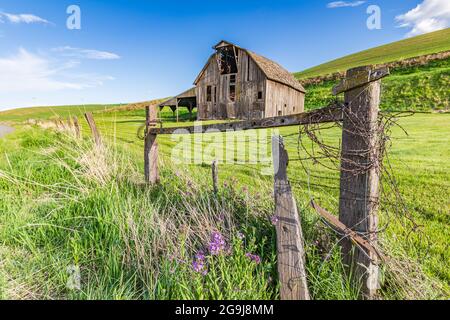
(422, 88)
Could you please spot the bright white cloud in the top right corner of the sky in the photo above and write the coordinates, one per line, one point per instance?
(428, 16)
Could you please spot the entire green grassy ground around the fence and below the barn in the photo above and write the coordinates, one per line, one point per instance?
(66, 204)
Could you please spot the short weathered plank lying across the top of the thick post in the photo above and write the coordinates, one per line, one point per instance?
(360, 77)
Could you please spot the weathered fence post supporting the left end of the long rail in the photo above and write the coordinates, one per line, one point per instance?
(151, 147)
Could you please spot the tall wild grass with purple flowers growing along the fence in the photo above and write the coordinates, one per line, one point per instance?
(69, 205)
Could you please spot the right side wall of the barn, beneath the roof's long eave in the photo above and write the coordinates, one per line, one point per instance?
(282, 100)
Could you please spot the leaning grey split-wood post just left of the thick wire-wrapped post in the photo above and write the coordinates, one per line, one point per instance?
(290, 248)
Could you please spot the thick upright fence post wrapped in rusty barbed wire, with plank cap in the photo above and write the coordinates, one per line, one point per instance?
(360, 170)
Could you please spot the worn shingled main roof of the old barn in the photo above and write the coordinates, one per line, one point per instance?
(272, 70)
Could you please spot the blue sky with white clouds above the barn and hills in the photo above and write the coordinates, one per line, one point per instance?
(135, 50)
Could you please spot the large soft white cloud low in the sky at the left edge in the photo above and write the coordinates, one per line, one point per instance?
(25, 72)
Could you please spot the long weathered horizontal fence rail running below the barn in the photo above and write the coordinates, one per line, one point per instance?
(324, 115)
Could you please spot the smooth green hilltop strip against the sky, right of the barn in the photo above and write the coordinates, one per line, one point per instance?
(421, 45)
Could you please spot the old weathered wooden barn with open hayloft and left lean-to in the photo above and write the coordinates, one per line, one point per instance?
(236, 83)
